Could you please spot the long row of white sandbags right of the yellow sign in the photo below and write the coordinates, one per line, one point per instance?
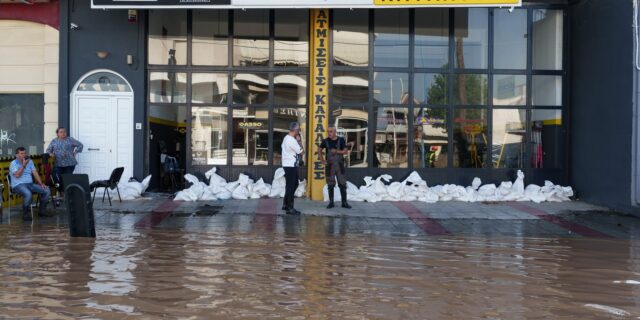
(414, 188)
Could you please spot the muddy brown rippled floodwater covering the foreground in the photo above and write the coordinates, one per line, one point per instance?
(156, 273)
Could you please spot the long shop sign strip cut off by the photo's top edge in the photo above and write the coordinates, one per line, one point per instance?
(270, 4)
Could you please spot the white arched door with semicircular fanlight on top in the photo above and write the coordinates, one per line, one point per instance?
(102, 119)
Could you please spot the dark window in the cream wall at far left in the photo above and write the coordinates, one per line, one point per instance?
(21, 123)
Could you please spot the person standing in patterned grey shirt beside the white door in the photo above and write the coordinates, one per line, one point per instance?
(64, 150)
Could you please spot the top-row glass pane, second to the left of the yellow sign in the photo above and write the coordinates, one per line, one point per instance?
(251, 38)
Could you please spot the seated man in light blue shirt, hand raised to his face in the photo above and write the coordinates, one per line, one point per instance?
(23, 172)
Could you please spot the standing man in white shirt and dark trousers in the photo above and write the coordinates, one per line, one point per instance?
(291, 154)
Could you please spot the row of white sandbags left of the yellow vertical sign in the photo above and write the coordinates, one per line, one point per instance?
(242, 189)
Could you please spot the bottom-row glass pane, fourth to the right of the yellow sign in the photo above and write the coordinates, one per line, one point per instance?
(469, 138)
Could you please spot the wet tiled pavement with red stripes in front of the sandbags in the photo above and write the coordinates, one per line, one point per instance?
(263, 216)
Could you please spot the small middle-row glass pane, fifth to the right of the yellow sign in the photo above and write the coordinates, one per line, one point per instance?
(510, 90)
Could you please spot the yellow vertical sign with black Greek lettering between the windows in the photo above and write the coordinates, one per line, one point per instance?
(318, 100)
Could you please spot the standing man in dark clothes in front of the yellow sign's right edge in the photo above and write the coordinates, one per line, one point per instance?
(335, 148)
